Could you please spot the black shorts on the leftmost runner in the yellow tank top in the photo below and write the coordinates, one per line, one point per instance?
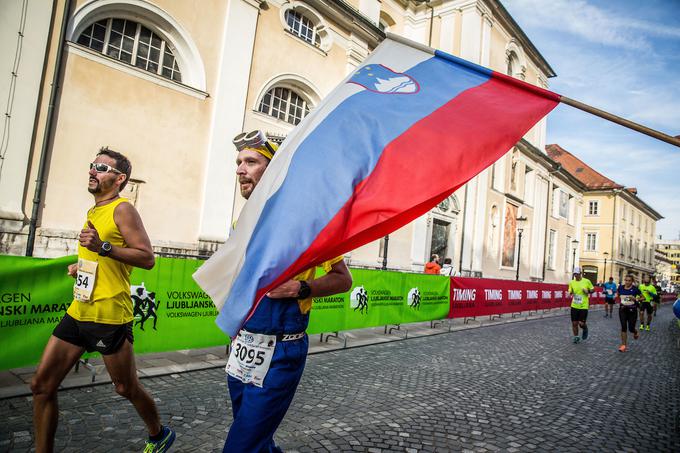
(104, 338)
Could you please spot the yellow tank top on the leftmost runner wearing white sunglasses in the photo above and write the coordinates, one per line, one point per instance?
(110, 302)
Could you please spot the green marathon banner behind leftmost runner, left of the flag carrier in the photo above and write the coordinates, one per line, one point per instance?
(171, 312)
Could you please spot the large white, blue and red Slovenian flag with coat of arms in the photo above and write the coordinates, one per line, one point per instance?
(400, 134)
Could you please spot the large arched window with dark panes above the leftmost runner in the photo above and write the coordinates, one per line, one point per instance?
(132, 43)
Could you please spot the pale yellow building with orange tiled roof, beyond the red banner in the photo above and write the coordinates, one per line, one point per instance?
(618, 226)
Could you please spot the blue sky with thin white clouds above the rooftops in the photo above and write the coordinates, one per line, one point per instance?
(622, 56)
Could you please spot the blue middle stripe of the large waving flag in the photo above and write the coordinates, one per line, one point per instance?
(341, 152)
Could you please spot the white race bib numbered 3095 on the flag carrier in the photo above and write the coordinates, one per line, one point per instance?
(251, 355)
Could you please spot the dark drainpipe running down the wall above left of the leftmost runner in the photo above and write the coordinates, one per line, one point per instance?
(48, 133)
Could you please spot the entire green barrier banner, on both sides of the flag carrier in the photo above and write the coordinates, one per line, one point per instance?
(172, 313)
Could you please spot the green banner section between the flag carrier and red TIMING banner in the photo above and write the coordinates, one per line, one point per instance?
(378, 298)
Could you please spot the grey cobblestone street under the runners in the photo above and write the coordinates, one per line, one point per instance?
(515, 387)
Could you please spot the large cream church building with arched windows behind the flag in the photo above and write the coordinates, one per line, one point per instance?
(170, 88)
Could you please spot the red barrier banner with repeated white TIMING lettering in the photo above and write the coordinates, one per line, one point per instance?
(480, 297)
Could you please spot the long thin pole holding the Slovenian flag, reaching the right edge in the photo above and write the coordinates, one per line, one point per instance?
(563, 99)
